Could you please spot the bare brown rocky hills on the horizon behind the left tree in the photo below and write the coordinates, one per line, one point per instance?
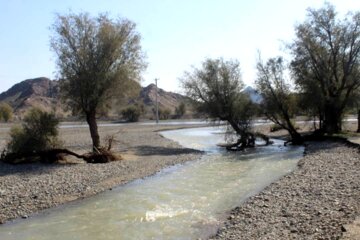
(43, 93)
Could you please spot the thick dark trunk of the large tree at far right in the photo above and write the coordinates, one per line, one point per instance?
(332, 121)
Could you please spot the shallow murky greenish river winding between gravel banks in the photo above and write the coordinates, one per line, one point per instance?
(181, 202)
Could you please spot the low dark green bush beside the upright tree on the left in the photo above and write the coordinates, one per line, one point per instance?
(39, 131)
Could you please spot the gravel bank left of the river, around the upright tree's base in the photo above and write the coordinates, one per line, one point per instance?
(27, 189)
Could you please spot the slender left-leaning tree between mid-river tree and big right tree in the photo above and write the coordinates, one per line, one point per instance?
(278, 102)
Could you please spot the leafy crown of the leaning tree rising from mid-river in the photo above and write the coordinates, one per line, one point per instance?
(215, 87)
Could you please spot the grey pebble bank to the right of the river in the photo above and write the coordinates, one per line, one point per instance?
(316, 201)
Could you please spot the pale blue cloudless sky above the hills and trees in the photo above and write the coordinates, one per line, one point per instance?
(176, 34)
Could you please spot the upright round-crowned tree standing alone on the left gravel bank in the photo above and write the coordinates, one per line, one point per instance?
(98, 59)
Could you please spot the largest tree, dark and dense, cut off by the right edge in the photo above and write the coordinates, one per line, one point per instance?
(326, 54)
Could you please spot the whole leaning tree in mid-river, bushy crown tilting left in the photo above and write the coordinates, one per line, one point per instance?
(216, 88)
